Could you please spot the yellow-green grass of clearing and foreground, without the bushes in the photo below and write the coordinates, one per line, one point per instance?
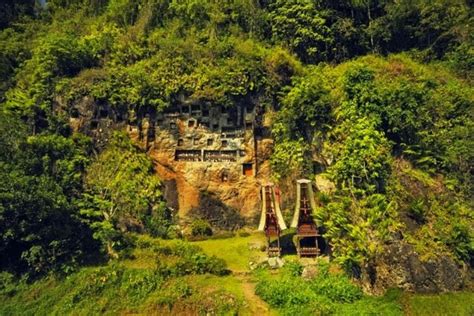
(89, 292)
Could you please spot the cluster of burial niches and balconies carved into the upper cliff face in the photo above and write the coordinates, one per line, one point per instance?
(202, 133)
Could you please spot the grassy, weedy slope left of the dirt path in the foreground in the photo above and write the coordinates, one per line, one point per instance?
(170, 285)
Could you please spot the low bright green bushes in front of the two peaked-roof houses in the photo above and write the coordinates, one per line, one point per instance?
(327, 293)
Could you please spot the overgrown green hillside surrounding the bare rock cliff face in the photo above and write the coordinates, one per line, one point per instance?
(372, 100)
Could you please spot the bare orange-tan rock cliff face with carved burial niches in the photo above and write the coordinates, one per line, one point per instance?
(198, 150)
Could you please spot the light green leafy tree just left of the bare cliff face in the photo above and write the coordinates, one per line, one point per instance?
(122, 193)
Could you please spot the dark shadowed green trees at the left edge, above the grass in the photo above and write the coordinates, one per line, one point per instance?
(39, 178)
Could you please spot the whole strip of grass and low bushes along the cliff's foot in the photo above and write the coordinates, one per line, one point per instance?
(139, 284)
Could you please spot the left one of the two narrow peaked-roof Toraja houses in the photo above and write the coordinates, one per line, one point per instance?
(271, 220)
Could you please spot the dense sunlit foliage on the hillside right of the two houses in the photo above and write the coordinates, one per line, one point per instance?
(371, 125)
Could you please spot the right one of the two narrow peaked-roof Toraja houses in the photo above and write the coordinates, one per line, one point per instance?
(306, 228)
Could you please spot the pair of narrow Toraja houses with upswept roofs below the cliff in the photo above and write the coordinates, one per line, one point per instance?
(272, 222)
